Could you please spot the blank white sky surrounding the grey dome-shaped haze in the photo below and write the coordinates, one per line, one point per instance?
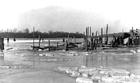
(126, 11)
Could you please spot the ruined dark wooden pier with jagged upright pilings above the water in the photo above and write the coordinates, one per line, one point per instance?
(94, 40)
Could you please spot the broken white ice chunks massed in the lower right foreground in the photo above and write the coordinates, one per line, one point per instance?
(100, 75)
